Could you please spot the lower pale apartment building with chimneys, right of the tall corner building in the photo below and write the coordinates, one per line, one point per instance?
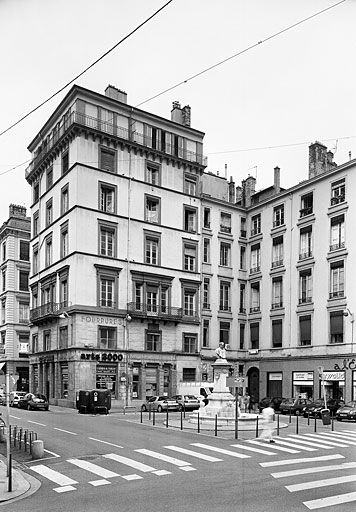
(277, 279)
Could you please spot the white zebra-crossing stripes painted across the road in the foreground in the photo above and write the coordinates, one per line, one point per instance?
(303, 456)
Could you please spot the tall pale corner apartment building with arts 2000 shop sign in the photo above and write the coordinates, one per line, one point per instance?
(115, 278)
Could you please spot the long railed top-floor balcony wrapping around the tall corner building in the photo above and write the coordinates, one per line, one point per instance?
(92, 123)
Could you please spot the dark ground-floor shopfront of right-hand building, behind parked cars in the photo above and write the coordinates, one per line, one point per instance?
(305, 377)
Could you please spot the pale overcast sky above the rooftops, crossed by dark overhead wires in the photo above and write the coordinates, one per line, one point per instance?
(289, 91)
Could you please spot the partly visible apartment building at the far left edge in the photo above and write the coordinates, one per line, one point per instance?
(15, 298)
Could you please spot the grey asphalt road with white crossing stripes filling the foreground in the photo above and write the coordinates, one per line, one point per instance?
(114, 463)
